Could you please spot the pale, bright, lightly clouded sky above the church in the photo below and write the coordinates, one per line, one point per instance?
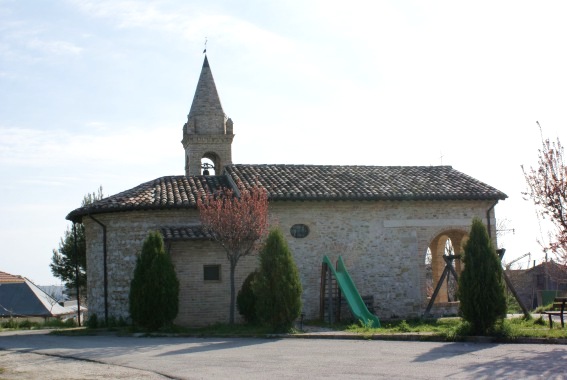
(95, 93)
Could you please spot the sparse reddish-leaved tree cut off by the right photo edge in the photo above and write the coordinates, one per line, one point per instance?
(547, 188)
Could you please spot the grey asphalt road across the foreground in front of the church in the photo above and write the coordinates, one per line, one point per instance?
(195, 358)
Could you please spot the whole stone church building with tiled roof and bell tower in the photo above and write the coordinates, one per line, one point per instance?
(383, 220)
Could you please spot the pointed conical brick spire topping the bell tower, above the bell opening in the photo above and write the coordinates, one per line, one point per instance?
(206, 114)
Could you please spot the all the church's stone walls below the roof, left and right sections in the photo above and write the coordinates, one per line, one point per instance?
(383, 245)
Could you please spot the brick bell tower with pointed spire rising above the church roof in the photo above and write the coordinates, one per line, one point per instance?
(208, 132)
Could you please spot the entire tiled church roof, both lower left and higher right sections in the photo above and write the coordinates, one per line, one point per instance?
(303, 183)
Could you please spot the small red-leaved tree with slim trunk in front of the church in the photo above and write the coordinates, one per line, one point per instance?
(237, 221)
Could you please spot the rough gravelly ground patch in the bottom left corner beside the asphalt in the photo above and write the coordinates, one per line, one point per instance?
(18, 365)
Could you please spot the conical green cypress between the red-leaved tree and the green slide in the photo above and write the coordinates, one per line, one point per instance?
(277, 287)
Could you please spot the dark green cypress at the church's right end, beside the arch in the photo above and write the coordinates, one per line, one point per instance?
(481, 288)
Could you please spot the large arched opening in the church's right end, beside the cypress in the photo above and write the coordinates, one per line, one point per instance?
(446, 243)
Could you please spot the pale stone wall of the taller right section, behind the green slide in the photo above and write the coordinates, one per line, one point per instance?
(383, 245)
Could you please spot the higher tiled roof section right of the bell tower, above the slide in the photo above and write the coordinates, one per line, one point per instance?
(319, 182)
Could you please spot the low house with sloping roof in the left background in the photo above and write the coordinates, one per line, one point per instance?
(21, 298)
